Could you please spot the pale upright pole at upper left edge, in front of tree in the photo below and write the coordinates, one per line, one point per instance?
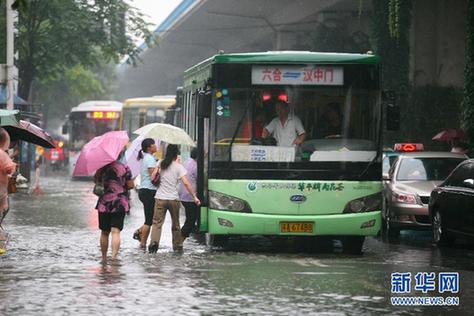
(10, 56)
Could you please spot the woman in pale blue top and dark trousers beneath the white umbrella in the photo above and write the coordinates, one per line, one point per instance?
(147, 190)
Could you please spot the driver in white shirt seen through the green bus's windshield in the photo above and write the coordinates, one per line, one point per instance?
(287, 129)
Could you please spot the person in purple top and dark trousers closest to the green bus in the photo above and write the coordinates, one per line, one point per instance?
(191, 208)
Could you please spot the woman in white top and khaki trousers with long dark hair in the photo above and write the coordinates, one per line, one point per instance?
(167, 198)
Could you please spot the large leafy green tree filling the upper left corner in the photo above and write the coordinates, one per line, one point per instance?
(54, 35)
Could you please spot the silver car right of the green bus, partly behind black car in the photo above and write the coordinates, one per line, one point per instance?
(408, 185)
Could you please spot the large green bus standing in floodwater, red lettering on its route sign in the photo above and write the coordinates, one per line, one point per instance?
(330, 185)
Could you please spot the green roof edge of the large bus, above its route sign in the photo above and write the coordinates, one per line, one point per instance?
(288, 57)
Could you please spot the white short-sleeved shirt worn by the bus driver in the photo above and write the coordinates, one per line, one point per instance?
(285, 134)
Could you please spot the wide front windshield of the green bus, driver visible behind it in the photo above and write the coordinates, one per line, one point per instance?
(339, 124)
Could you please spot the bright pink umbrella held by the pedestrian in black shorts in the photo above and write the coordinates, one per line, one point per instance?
(100, 151)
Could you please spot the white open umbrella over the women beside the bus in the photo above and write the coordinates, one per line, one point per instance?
(166, 133)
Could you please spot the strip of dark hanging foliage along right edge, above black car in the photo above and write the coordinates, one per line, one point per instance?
(468, 99)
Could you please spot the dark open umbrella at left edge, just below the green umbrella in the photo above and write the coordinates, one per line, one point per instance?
(30, 133)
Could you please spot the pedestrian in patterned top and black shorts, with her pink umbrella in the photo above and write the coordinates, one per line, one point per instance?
(113, 181)
